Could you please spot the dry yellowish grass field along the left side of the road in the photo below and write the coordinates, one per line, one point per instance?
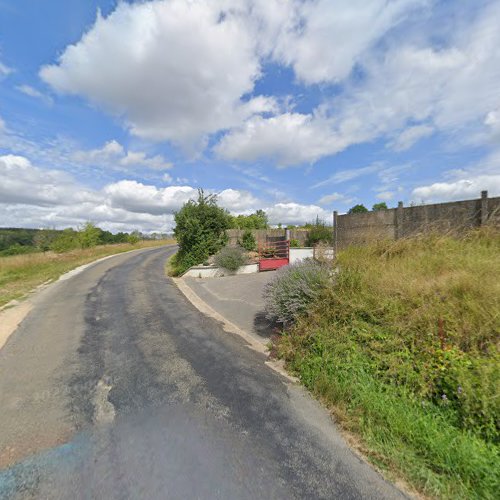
(21, 273)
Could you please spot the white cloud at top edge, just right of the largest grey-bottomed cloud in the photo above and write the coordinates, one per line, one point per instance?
(327, 38)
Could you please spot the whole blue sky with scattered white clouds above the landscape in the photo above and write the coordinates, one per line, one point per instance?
(116, 112)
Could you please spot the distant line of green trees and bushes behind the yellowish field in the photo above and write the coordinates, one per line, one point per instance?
(16, 241)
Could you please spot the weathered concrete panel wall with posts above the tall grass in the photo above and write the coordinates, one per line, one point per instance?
(401, 222)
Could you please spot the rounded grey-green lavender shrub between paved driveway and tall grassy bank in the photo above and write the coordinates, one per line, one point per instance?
(294, 289)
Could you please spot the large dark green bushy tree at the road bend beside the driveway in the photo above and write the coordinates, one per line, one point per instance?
(200, 230)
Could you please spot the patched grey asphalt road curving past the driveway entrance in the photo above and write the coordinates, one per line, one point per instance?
(115, 386)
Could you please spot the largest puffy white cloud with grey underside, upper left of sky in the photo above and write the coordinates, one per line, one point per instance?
(175, 70)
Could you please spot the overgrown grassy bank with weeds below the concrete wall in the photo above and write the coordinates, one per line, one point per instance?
(403, 348)
